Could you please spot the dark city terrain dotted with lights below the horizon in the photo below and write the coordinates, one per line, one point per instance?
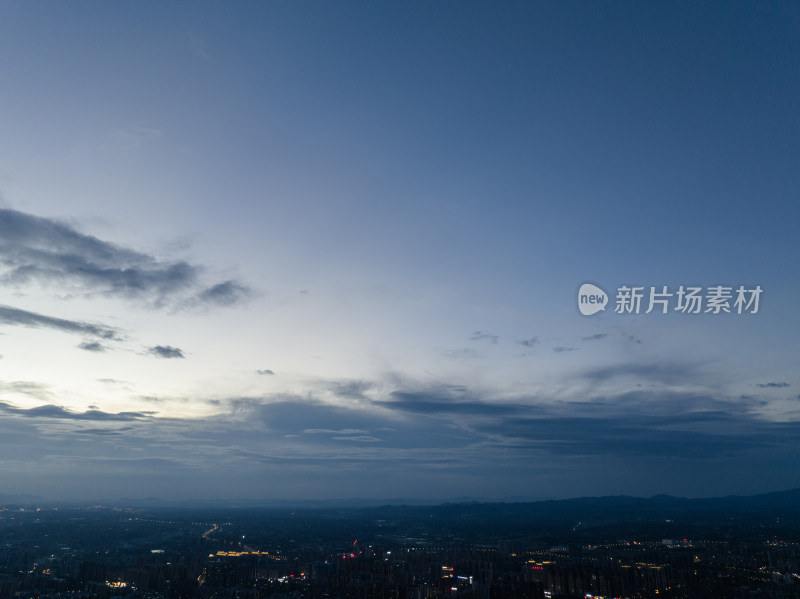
(737, 547)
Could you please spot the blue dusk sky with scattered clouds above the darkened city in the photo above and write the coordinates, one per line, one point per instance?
(325, 250)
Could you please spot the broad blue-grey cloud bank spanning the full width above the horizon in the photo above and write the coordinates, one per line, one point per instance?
(423, 433)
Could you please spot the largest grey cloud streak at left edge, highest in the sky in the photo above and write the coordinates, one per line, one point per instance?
(49, 252)
